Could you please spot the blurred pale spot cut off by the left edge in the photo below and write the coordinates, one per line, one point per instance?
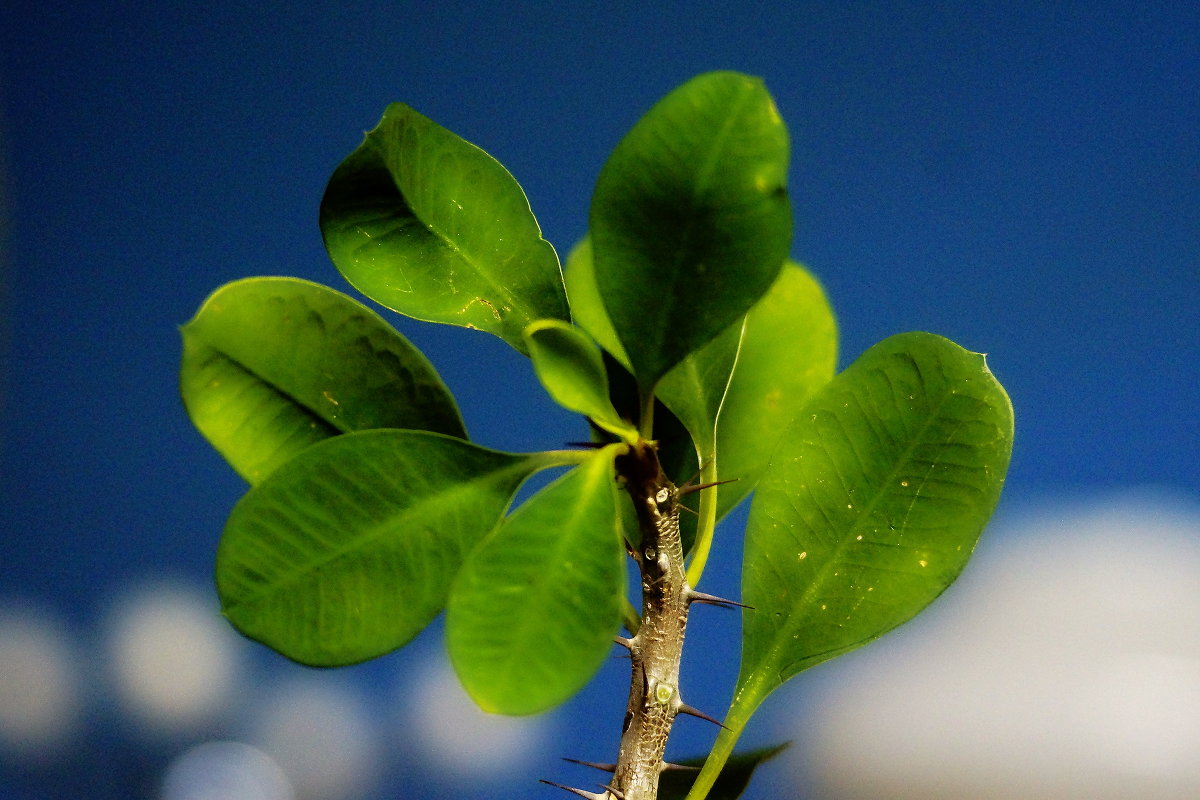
(40, 683)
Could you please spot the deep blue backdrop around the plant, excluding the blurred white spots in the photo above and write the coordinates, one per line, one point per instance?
(1022, 178)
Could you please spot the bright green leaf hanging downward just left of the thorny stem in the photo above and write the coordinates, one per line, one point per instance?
(535, 610)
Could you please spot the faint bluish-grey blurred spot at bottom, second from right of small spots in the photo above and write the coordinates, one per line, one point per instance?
(319, 729)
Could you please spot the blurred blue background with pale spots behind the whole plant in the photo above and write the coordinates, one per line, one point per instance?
(1022, 178)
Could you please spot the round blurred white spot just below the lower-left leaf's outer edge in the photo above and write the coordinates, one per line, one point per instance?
(176, 661)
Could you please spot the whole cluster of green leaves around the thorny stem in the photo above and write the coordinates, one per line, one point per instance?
(680, 321)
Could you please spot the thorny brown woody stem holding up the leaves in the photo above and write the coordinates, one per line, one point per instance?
(657, 648)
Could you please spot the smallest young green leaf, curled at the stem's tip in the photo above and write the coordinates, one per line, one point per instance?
(571, 368)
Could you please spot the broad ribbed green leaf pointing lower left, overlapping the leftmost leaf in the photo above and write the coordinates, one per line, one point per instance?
(347, 551)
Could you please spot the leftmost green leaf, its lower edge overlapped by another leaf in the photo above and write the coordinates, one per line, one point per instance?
(275, 365)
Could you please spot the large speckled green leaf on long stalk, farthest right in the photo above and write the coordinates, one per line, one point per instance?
(869, 510)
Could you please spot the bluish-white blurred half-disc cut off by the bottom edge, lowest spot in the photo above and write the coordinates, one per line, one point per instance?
(225, 771)
